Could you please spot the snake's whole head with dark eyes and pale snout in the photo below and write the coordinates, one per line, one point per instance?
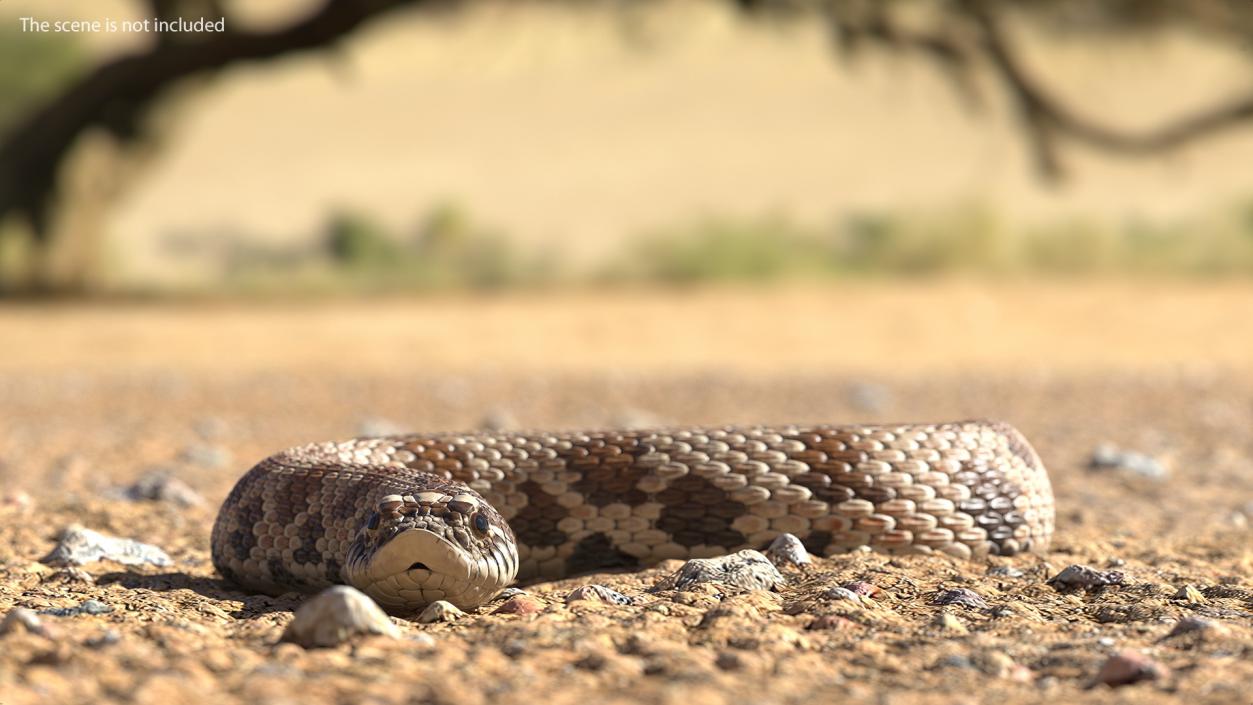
(433, 545)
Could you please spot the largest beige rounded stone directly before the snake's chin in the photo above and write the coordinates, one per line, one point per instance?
(336, 615)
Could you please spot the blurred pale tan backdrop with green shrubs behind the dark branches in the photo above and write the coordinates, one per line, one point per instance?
(512, 146)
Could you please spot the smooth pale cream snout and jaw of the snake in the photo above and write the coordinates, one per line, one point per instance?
(419, 567)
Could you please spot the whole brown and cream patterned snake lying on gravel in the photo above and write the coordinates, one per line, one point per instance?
(414, 519)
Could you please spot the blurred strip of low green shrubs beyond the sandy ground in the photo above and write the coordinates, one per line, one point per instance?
(450, 252)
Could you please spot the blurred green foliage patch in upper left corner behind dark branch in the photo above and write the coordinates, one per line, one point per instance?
(33, 68)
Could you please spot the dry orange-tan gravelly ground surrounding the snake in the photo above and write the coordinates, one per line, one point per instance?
(1173, 523)
